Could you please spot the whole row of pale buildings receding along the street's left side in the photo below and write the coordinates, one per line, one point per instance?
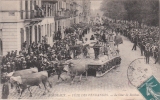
(29, 20)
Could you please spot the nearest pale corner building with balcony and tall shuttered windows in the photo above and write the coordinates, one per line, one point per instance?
(28, 21)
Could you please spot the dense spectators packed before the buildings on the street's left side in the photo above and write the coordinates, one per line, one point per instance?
(42, 54)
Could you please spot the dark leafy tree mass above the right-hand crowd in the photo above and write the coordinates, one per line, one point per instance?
(143, 11)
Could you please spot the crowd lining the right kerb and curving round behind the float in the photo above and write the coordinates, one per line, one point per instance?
(143, 36)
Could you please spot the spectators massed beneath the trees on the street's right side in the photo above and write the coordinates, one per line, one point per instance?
(145, 37)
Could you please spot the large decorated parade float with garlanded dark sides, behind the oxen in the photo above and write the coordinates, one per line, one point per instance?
(97, 63)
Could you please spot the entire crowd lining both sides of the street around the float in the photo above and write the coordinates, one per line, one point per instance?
(41, 54)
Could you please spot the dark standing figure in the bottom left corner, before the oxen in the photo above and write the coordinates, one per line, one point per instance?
(5, 89)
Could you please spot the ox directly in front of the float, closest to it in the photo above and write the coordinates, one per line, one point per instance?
(76, 71)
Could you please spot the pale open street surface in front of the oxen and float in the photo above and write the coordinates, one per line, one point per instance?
(112, 86)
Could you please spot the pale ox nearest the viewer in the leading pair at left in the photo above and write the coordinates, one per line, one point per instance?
(34, 79)
